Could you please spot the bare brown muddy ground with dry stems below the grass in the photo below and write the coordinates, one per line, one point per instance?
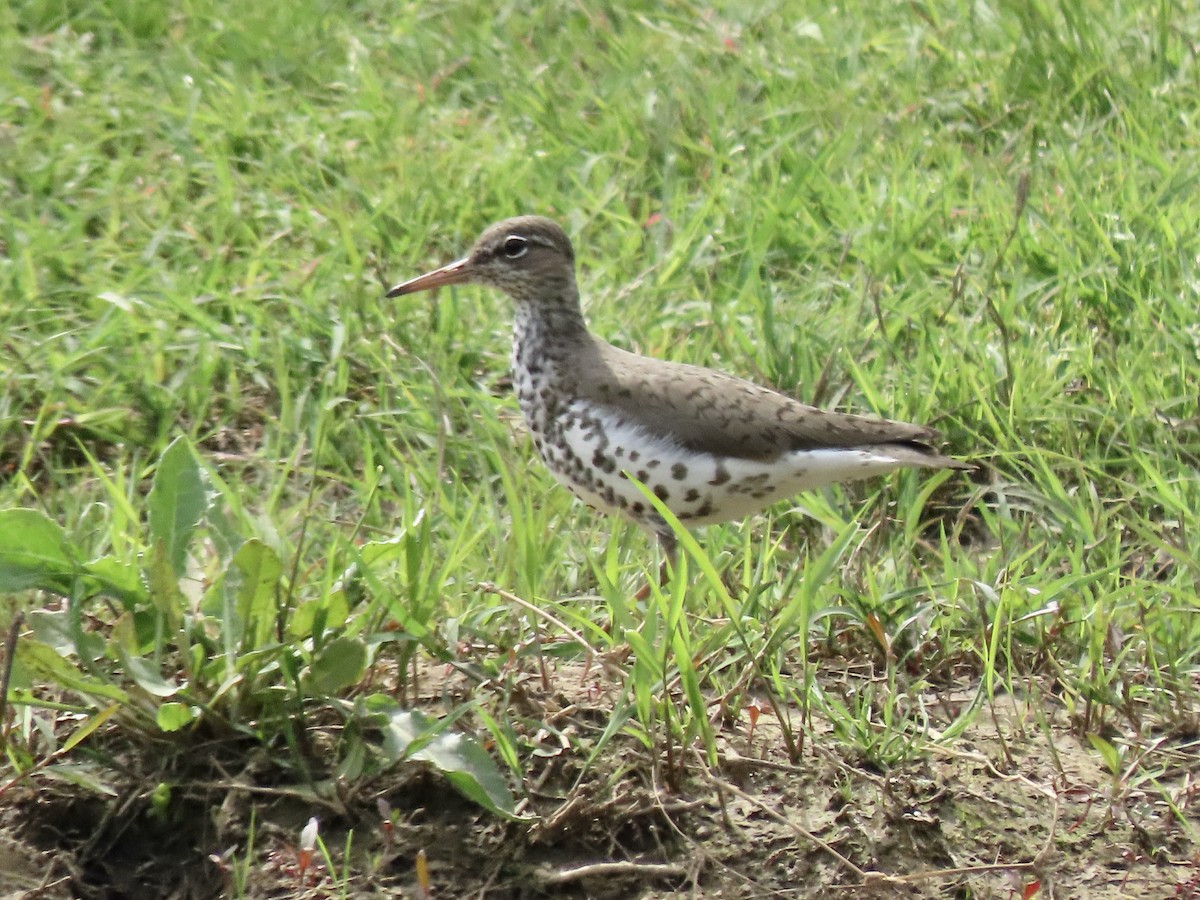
(1019, 806)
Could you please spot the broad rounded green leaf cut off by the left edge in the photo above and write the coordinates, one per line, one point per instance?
(35, 554)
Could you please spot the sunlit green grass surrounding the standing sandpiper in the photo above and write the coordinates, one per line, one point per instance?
(976, 215)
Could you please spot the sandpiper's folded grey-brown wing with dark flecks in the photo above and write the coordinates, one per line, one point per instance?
(716, 413)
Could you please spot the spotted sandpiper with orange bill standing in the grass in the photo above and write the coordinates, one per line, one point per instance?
(712, 447)
